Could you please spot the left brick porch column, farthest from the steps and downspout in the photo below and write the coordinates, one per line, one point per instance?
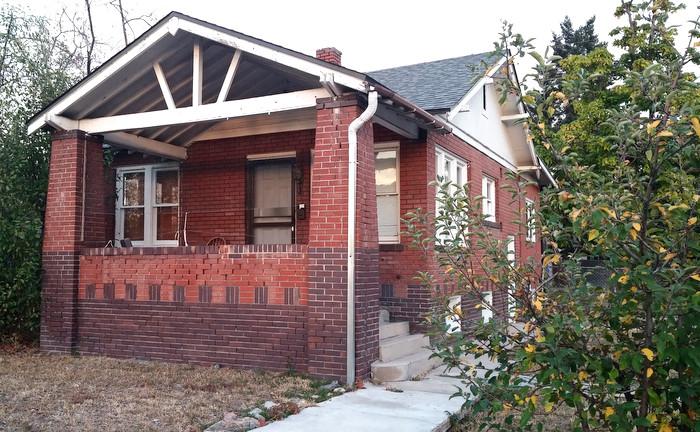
(74, 218)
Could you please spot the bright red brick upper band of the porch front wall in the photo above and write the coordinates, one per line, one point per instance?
(275, 267)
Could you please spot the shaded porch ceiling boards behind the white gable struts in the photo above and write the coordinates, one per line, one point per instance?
(135, 89)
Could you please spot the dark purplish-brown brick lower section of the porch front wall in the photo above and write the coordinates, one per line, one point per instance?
(244, 335)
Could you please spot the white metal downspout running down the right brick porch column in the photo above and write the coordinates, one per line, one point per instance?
(355, 125)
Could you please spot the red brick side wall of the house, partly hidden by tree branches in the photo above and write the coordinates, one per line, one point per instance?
(399, 264)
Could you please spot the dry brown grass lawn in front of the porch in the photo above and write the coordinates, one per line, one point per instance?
(61, 393)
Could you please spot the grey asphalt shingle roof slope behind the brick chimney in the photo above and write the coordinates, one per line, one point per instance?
(436, 85)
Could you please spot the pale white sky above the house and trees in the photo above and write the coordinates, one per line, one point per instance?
(371, 34)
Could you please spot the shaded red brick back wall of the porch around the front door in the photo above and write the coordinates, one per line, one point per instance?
(213, 183)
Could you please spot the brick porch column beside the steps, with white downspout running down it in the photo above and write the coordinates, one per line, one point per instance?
(328, 231)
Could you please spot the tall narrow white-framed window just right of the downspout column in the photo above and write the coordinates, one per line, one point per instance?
(386, 177)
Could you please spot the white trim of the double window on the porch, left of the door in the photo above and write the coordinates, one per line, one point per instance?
(149, 221)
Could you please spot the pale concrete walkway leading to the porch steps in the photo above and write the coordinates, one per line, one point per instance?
(377, 409)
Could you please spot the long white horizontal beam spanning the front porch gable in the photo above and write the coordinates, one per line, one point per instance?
(202, 113)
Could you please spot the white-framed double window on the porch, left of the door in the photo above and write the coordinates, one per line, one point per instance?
(148, 204)
